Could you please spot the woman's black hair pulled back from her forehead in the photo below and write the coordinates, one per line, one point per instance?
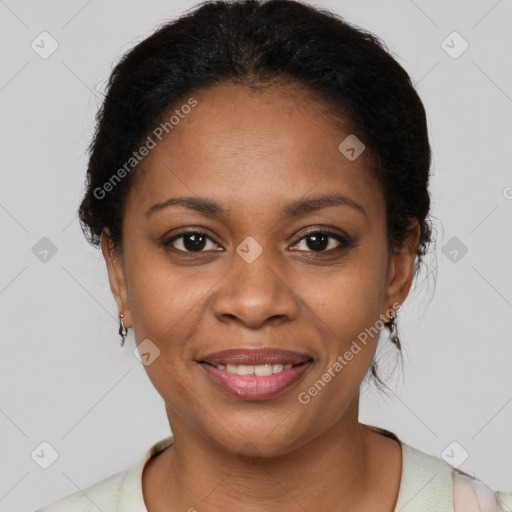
(255, 42)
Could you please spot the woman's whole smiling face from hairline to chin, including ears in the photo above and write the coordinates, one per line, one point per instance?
(259, 268)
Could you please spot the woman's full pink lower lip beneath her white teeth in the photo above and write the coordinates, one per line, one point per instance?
(251, 387)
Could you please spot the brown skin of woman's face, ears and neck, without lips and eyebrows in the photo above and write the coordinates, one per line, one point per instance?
(255, 152)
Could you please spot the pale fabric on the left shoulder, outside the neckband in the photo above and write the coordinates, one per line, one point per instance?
(103, 495)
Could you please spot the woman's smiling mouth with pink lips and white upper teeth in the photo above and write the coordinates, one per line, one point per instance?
(255, 374)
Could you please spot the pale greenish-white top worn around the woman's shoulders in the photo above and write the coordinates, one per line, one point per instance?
(428, 484)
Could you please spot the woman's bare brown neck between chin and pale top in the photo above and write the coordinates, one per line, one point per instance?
(335, 470)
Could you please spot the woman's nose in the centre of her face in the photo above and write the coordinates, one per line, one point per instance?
(255, 294)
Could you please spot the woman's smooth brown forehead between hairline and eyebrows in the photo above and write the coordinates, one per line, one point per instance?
(252, 150)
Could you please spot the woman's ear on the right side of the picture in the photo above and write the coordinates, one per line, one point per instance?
(401, 266)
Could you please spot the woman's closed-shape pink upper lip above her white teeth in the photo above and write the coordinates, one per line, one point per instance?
(248, 356)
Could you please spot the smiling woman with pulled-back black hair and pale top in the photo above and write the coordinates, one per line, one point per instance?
(258, 184)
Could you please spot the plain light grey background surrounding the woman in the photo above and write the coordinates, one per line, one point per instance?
(64, 378)
